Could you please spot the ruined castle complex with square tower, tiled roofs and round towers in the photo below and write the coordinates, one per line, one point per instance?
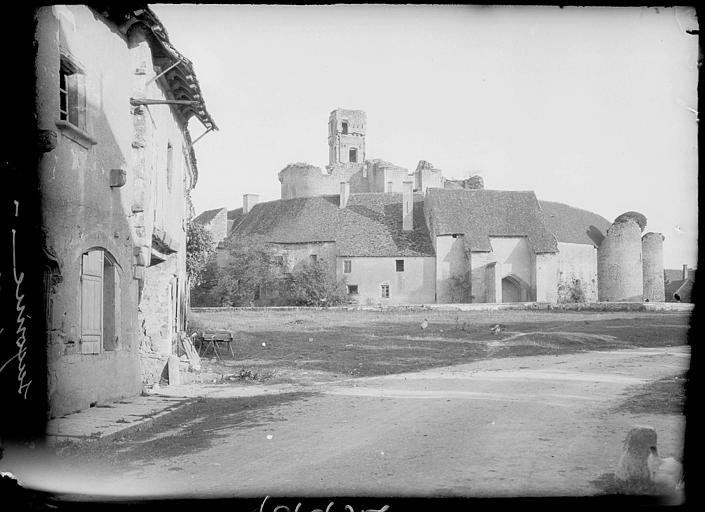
(404, 238)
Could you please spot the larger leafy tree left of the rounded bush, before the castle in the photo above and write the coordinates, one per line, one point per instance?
(254, 267)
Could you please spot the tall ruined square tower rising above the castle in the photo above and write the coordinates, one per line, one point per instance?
(346, 136)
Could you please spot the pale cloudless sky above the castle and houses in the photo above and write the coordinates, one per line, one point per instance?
(595, 107)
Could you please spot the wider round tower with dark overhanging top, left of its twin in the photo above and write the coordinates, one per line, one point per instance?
(619, 267)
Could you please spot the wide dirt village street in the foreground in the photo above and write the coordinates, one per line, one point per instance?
(539, 425)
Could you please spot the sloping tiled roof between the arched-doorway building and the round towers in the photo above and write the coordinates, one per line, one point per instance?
(574, 225)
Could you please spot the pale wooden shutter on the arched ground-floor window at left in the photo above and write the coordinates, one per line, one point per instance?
(92, 302)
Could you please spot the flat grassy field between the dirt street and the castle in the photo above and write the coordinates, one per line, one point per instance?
(337, 343)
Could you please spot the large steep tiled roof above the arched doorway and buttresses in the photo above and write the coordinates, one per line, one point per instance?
(479, 214)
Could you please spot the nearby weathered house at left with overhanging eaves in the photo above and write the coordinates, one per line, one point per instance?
(116, 97)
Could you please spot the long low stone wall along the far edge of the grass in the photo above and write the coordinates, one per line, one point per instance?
(545, 306)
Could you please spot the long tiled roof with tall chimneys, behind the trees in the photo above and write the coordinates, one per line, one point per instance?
(370, 225)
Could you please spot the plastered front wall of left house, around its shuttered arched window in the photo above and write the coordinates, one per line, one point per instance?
(80, 210)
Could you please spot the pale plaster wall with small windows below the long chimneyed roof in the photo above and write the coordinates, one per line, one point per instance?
(415, 285)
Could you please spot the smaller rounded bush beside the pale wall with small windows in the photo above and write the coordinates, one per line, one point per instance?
(314, 284)
